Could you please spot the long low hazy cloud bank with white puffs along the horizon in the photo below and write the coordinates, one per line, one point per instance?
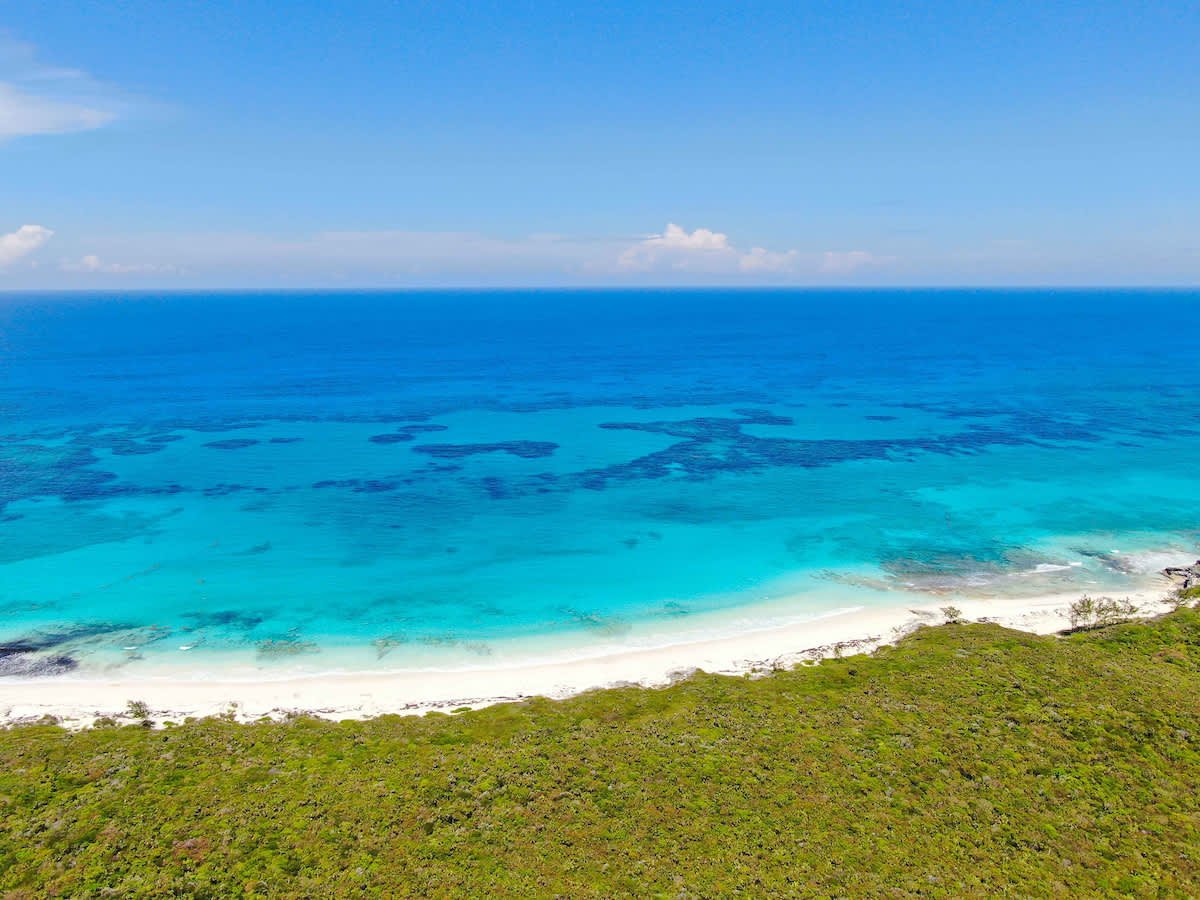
(675, 256)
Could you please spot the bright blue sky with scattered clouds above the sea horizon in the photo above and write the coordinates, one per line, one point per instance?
(193, 145)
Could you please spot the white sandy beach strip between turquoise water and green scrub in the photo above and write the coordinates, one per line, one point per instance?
(79, 701)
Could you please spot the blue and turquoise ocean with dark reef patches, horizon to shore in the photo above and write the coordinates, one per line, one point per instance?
(232, 484)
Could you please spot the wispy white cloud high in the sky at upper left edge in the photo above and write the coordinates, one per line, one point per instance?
(39, 99)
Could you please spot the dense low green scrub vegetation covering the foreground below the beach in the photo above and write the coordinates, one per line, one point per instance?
(969, 760)
